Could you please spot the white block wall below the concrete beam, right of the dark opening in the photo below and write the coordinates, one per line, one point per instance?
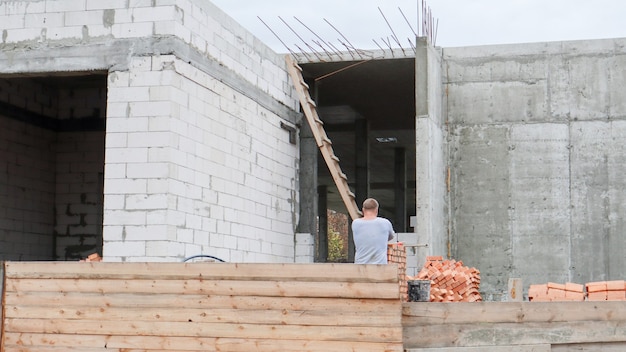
(194, 167)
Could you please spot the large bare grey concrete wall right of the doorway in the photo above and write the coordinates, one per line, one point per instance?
(537, 135)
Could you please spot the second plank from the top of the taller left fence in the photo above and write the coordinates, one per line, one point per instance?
(211, 287)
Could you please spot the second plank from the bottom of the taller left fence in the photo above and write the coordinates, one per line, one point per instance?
(390, 334)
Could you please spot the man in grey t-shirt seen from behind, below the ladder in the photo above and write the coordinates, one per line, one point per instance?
(371, 234)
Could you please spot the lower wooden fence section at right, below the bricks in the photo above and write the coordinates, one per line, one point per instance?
(515, 326)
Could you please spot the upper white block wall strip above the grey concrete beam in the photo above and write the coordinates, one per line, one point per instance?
(198, 23)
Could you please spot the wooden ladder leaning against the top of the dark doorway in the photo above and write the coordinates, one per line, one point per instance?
(323, 142)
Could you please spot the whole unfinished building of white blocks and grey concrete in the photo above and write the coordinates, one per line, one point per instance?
(160, 131)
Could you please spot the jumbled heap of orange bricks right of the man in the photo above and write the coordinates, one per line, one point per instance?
(450, 280)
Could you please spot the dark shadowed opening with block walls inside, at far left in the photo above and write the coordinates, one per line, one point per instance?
(51, 169)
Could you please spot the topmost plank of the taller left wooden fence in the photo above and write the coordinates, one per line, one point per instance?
(318, 272)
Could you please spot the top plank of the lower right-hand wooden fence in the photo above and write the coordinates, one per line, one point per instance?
(428, 313)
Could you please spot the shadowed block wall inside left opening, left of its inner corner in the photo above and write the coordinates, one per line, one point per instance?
(26, 191)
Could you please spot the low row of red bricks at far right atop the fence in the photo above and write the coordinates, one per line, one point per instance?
(595, 291)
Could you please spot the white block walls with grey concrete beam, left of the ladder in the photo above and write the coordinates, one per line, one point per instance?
(196, 159)
